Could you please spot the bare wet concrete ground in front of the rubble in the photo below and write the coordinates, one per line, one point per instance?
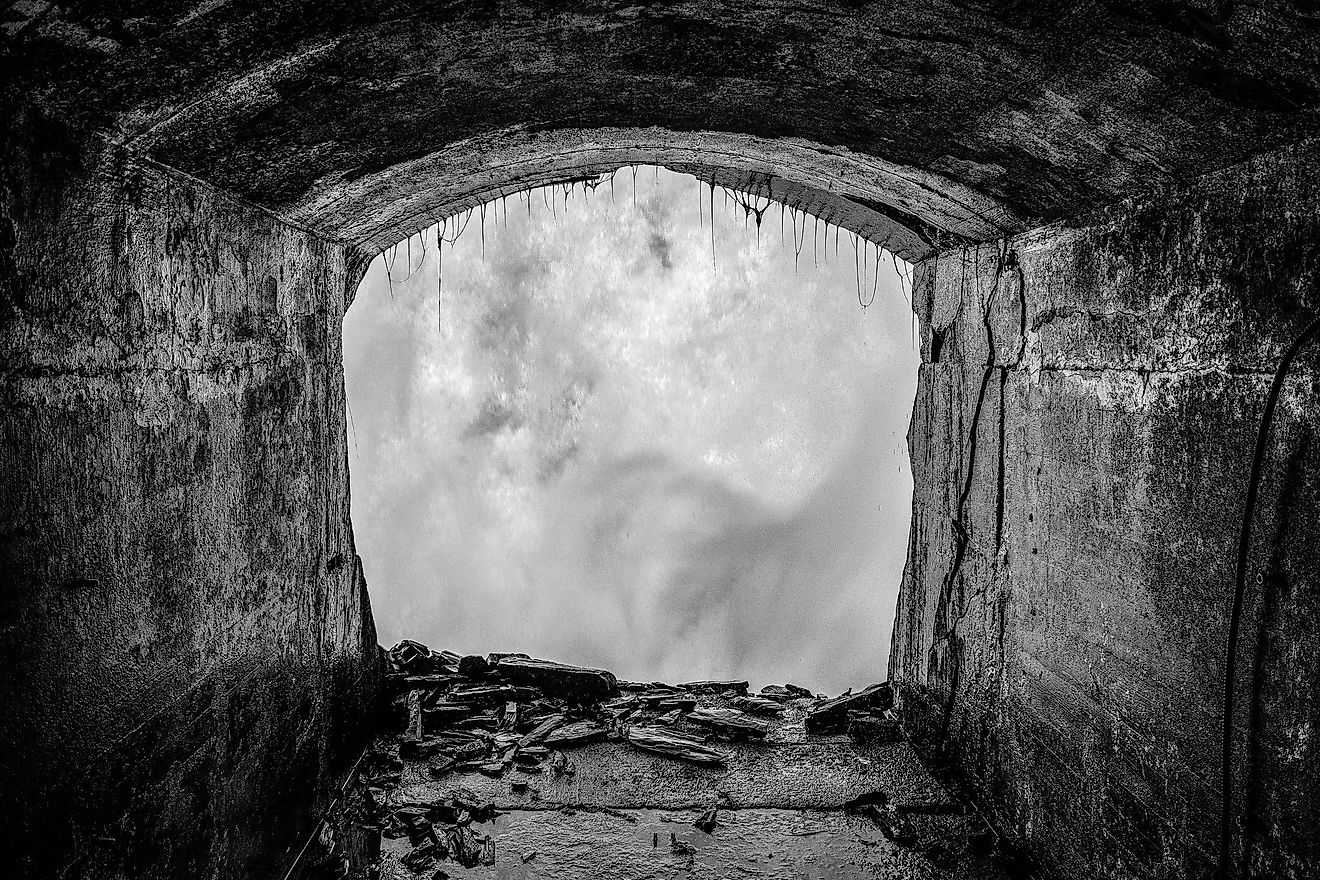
(783, 812)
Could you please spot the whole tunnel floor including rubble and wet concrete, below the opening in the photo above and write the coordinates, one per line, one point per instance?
(522, 769)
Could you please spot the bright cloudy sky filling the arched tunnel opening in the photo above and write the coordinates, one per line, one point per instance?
(641, 422)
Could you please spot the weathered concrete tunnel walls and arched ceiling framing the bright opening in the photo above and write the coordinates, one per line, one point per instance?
(1113, 214)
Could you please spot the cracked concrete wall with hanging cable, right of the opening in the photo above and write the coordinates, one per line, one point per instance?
(1070, 658)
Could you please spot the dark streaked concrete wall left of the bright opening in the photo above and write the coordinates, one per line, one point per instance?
(188, 652)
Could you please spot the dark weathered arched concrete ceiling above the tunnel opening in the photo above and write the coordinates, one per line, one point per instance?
(364, 119)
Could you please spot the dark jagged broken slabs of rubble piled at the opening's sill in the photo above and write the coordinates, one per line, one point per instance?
(518, 718)
